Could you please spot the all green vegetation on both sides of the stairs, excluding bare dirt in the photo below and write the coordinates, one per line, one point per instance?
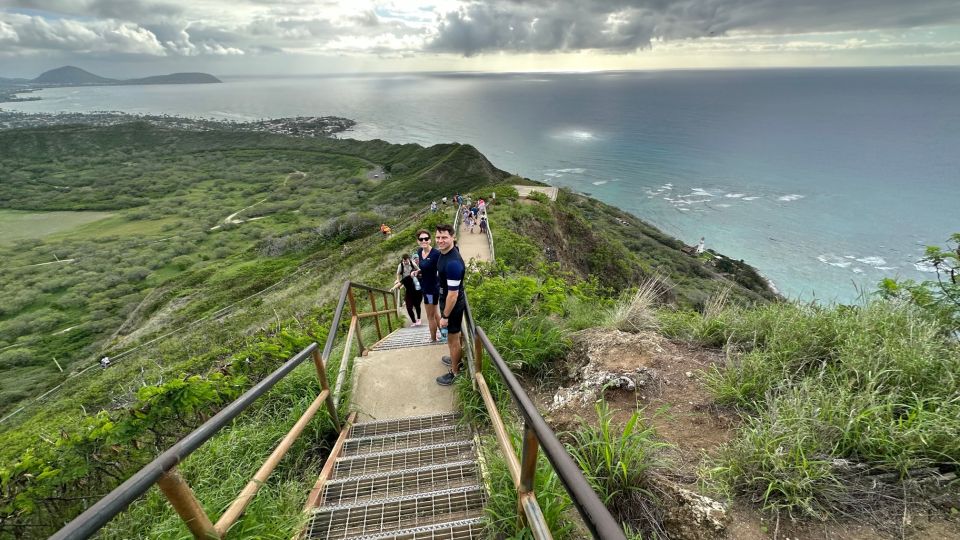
(195, 308)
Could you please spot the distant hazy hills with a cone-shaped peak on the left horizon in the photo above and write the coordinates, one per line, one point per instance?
(74, 76)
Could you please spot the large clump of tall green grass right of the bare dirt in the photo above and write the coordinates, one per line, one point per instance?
(825, 387)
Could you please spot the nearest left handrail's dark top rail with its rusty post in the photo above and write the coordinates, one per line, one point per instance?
(163, 468)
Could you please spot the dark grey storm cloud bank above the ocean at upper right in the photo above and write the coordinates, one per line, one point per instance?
(625, 25)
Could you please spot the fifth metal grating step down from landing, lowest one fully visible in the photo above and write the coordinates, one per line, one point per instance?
(396, 514)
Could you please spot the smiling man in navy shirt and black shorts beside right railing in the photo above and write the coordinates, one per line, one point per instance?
(451, 272)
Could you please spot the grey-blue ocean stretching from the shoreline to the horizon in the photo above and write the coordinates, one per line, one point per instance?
(826, 180)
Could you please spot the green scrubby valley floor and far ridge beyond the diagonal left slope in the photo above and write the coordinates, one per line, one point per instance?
(167, 252)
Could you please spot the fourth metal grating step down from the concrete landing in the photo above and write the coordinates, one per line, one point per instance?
(395, 484)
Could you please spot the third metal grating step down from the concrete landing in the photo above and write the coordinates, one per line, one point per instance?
(406, 459)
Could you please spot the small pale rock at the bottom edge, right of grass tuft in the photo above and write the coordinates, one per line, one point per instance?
(691, 516)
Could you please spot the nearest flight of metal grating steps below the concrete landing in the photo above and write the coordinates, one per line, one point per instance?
(404, 478)
